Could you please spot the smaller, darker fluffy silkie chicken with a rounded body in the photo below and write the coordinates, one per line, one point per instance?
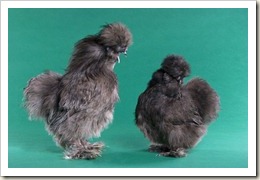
(173, 116)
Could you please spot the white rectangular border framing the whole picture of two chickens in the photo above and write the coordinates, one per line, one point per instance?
(250, 171)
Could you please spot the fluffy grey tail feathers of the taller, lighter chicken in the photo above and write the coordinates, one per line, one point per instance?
(41, 95)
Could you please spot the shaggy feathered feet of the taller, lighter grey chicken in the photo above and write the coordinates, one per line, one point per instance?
(84, 151)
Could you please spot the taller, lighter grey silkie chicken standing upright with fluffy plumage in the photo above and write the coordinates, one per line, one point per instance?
(79, 104)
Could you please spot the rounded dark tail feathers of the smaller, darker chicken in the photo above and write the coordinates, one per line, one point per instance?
(206, 99)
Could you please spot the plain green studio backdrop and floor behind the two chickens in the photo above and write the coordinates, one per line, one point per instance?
(213, 41)
